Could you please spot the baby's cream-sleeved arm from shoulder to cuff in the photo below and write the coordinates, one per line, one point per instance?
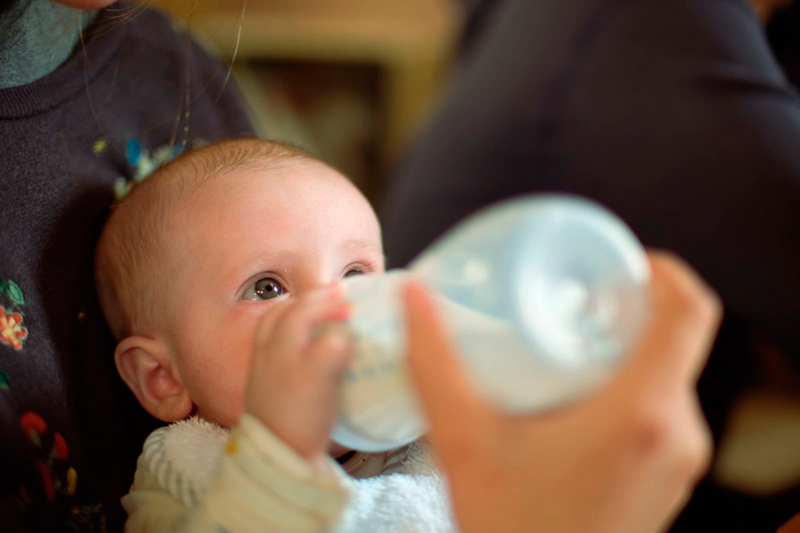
(258, 484)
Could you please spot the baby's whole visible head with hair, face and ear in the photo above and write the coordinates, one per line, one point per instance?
(195, 255)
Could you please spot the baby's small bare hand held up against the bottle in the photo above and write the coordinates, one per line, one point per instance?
(294, 380)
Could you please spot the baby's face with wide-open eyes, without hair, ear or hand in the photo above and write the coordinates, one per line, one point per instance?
(243, 242)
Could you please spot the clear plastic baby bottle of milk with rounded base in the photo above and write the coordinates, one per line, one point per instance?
(541, 295)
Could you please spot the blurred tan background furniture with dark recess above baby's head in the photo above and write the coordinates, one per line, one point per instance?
(349, 80)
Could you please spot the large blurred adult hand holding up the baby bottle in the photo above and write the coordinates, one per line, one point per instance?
(624, 459)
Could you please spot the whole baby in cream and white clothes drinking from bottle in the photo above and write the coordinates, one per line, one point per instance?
(214, 275)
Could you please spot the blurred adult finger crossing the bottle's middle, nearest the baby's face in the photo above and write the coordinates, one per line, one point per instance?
(452, 408)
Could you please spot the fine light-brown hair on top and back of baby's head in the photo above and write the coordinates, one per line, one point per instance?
(130, 255)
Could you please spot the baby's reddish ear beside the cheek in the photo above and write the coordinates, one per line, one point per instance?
(146, 367)
